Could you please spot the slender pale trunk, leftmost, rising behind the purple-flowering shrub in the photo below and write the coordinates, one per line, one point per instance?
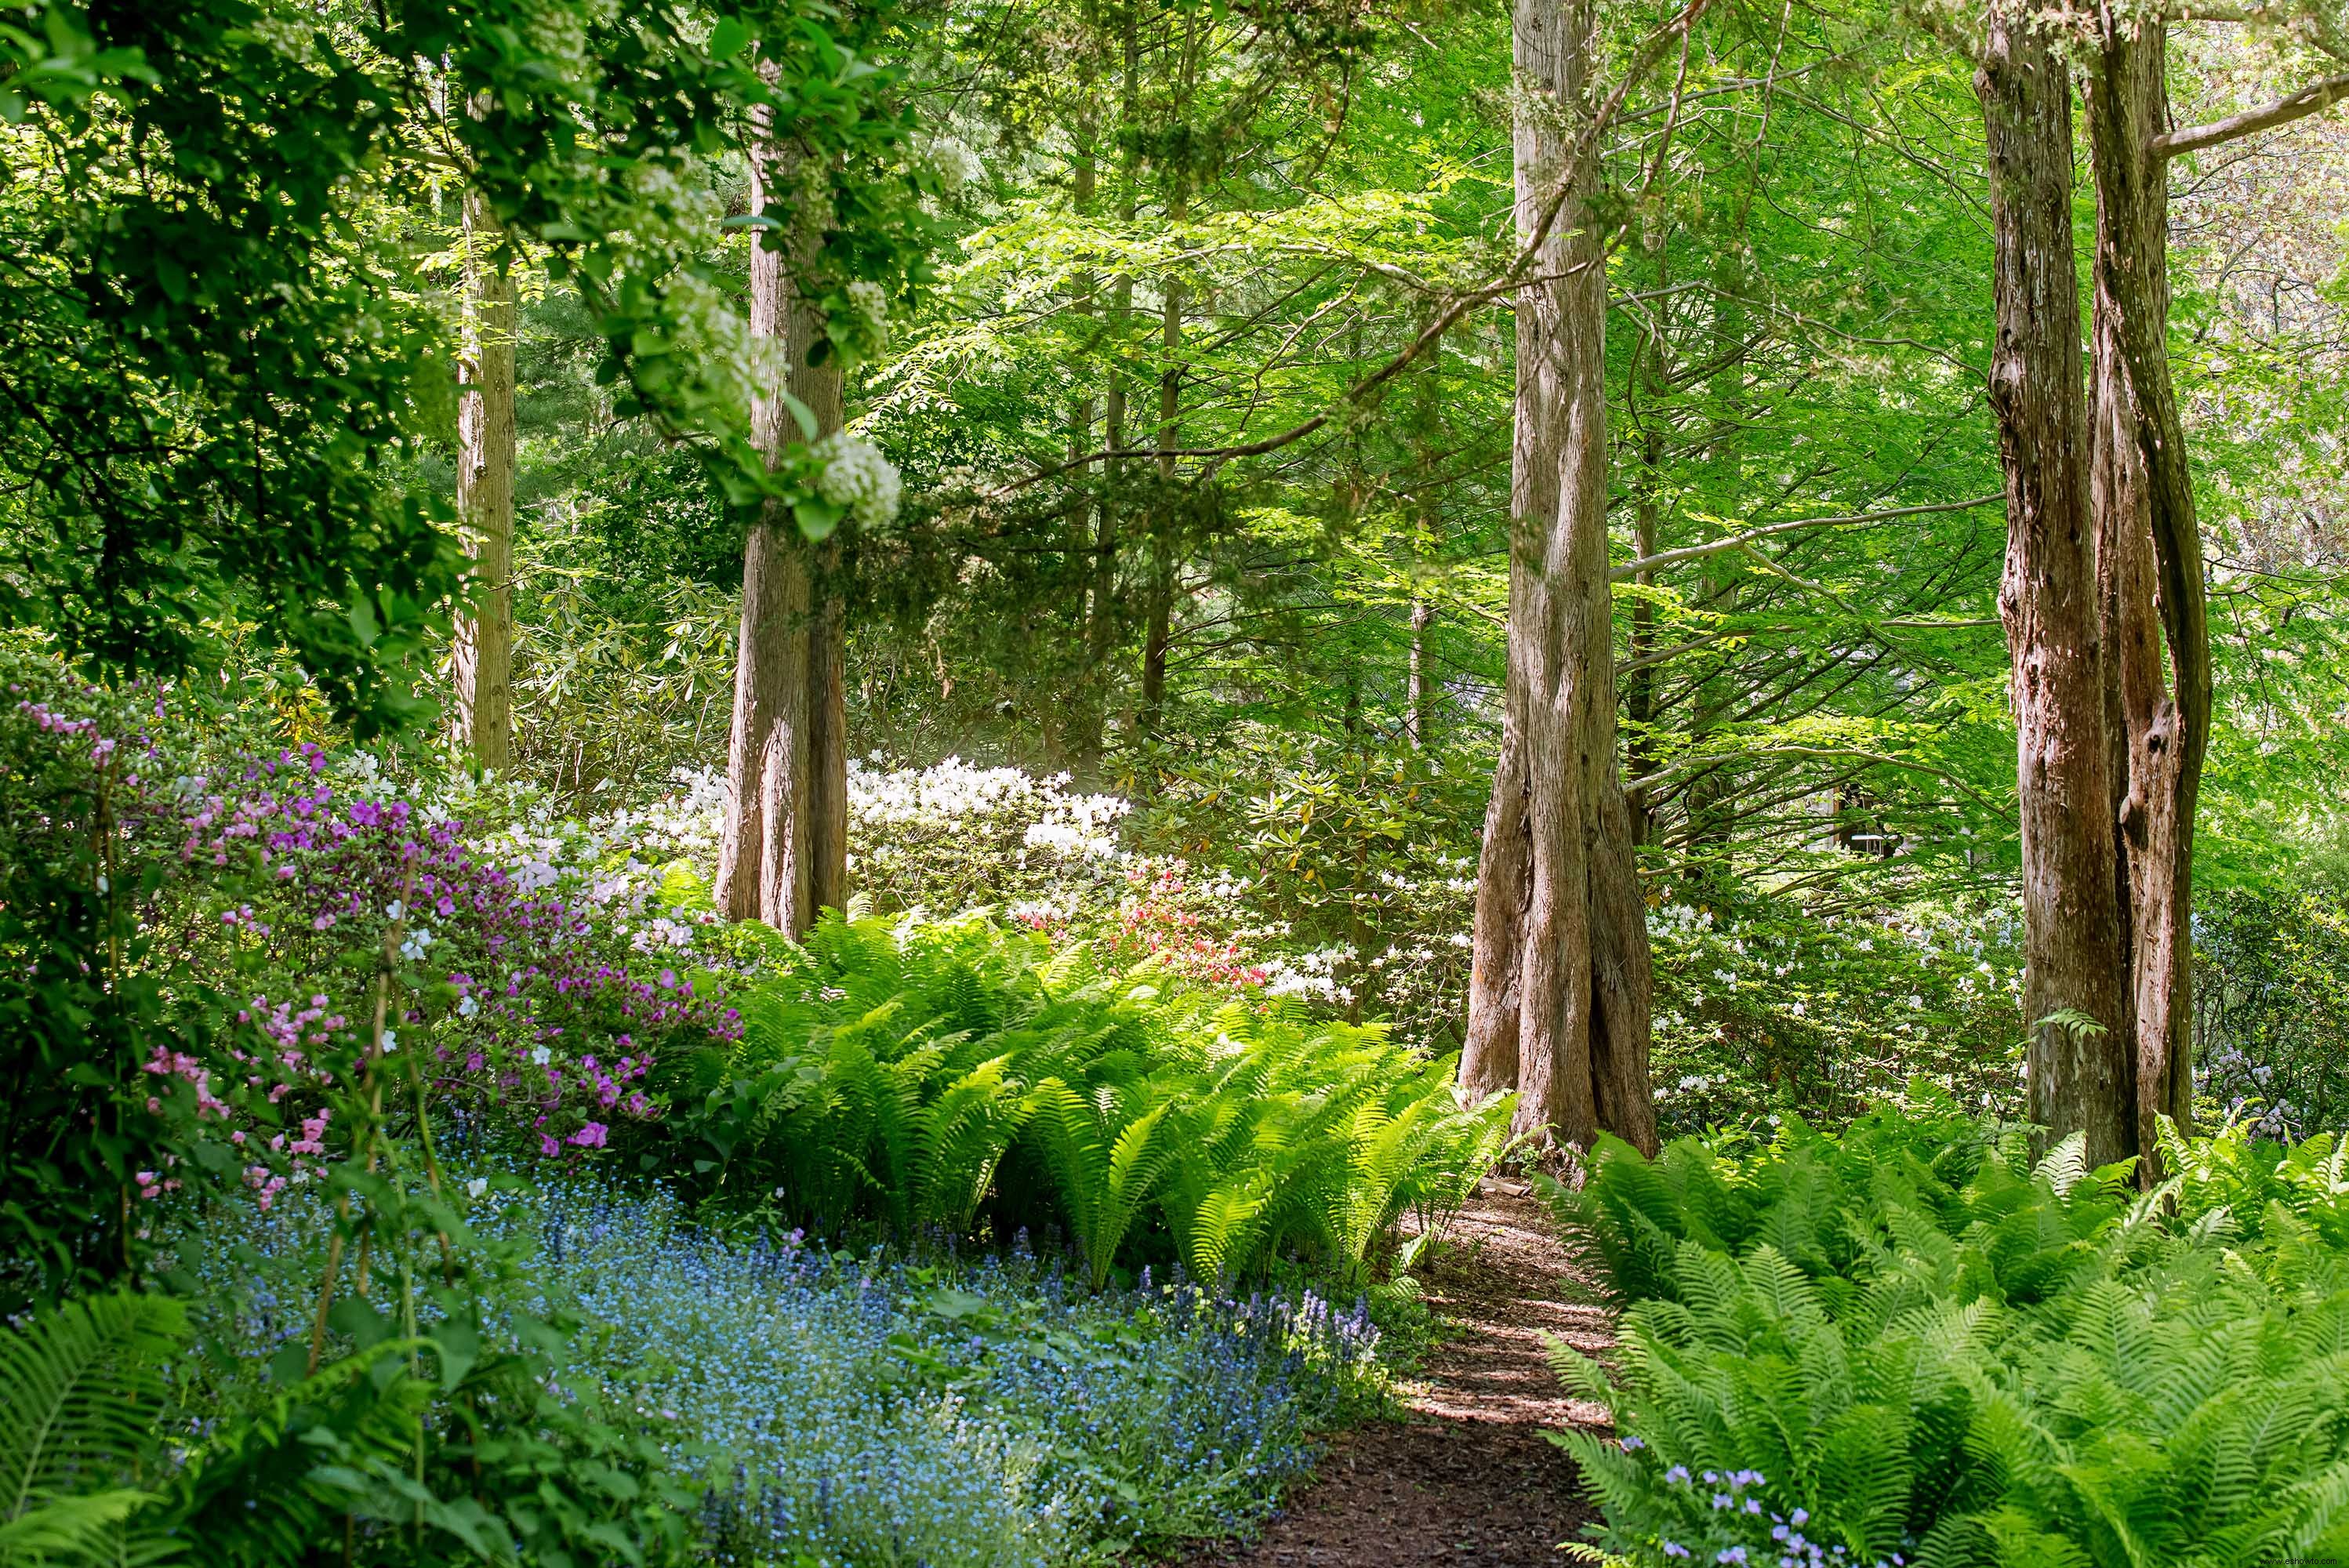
(485, 496)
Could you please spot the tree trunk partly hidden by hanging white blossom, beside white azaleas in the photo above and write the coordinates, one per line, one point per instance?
(783, 851)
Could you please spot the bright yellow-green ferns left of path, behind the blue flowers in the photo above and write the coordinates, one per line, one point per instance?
(964, 1079)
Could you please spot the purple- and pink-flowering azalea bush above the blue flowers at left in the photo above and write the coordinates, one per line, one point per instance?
(299, 914)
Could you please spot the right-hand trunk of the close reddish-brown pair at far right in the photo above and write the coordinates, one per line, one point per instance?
(2151, 567)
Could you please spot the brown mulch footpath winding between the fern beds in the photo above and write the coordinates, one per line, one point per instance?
(1467, 1475)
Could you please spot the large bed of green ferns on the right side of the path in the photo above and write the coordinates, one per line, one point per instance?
(1913, 1346)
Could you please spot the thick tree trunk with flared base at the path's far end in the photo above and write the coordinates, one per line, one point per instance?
(1559, 999)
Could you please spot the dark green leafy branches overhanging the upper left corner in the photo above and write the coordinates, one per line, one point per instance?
(220, 384)
